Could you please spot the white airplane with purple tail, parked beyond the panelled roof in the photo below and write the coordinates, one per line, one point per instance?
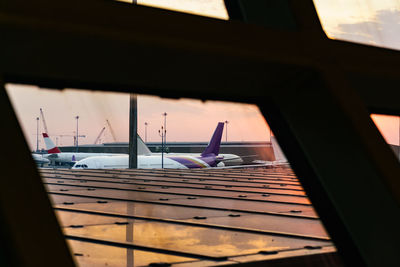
(209, 158)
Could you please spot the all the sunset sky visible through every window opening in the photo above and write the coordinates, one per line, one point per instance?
(375, 22)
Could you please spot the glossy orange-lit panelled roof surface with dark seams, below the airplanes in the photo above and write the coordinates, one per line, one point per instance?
(197, 217)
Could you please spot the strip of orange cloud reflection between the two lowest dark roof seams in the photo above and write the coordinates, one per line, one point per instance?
(191, 239)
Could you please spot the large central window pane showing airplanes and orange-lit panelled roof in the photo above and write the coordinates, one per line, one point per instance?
(242, 203)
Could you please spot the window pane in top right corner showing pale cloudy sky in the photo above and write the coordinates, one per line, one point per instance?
(374, 22)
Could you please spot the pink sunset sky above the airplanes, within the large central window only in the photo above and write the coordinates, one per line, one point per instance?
(187, 120)
